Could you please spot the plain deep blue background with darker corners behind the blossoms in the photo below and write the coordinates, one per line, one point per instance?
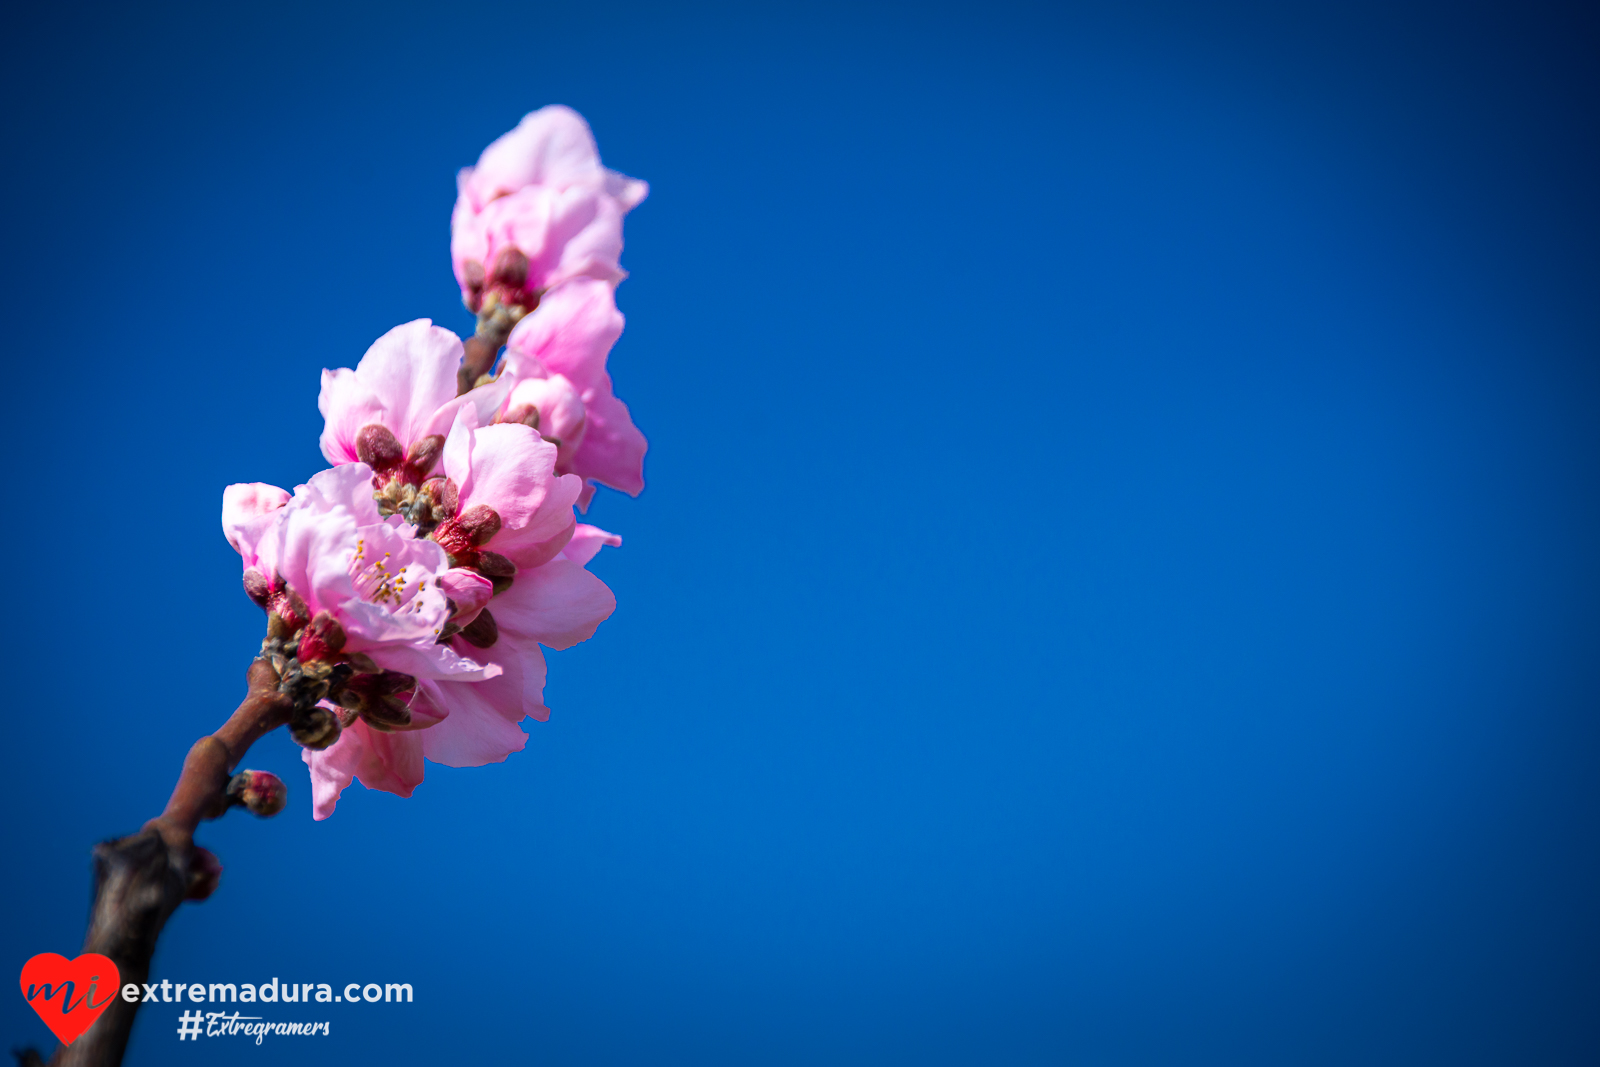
(1118, 581)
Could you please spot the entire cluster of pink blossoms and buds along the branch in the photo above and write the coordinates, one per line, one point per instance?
(409, 588)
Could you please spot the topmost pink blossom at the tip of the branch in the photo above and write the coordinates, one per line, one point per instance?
(538, 210)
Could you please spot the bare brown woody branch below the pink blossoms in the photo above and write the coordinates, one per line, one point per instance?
(140, 881)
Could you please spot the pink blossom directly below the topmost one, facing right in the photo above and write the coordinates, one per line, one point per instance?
(556, 364)
